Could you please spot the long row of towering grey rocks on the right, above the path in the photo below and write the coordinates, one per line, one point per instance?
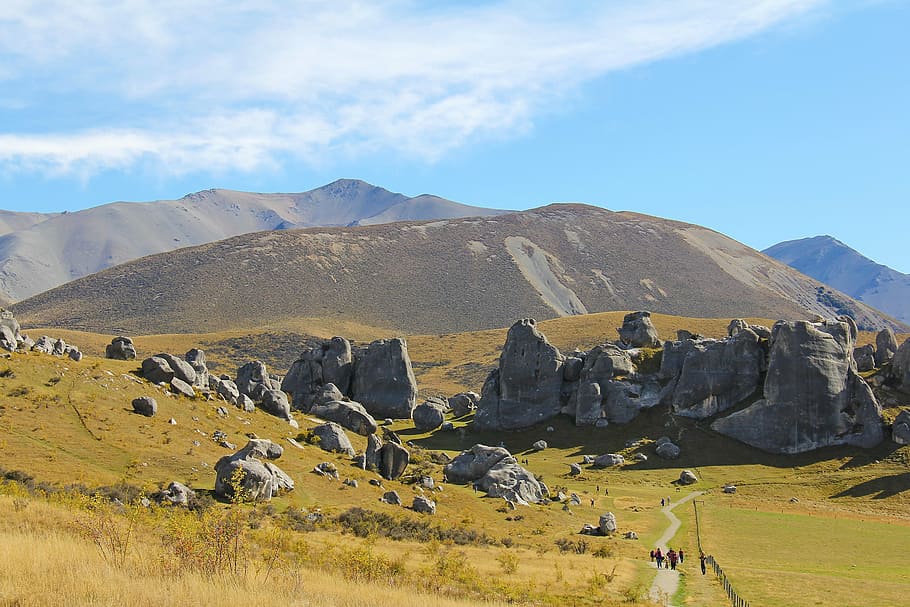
(789, 389)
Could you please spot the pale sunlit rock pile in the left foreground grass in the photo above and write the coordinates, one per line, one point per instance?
(259, 480)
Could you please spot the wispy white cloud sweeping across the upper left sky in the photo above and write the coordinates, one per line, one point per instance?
(219, 85)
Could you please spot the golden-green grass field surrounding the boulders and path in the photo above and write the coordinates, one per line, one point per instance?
(66, 422)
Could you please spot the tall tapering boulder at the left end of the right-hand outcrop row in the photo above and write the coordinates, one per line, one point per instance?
(526, 387)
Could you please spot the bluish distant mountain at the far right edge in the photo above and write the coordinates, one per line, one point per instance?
(832, 262)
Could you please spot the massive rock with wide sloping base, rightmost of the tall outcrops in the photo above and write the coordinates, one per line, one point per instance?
(813, 396)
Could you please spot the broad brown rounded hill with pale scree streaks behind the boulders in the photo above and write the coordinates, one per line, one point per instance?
(443, 276)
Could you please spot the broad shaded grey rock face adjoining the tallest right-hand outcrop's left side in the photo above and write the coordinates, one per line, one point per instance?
(715, 375)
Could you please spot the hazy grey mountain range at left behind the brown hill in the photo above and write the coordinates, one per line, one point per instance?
(39, 252)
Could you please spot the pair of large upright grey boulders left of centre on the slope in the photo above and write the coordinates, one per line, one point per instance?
(377, 376)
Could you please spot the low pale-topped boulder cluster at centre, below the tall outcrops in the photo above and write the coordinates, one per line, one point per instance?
(494, 471)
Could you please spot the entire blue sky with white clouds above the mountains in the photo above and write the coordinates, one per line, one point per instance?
(767, 120)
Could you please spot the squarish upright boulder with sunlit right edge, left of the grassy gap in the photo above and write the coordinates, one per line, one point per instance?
(383, 380)
